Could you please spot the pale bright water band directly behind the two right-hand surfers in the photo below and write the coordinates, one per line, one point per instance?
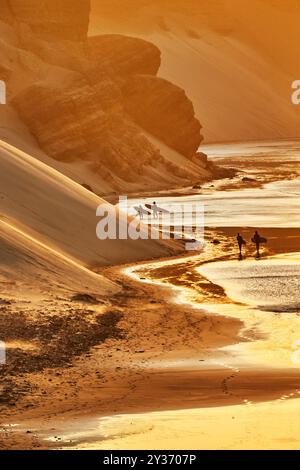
(274, 205)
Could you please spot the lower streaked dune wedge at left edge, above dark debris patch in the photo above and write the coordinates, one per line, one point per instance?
(30, 265)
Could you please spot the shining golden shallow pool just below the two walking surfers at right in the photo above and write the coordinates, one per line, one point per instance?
(269, 292)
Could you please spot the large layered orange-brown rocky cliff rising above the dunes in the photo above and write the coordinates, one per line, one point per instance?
(98, 101)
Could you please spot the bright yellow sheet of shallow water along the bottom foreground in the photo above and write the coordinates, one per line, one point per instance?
(271, 425)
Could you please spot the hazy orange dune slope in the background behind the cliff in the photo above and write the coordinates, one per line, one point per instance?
(235, 59)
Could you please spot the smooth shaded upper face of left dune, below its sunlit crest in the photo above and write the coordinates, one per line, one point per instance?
(61, 214)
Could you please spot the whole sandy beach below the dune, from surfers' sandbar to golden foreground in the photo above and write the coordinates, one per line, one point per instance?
(173, 338)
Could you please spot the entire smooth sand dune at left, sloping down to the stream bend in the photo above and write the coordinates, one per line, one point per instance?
(48, 226)
